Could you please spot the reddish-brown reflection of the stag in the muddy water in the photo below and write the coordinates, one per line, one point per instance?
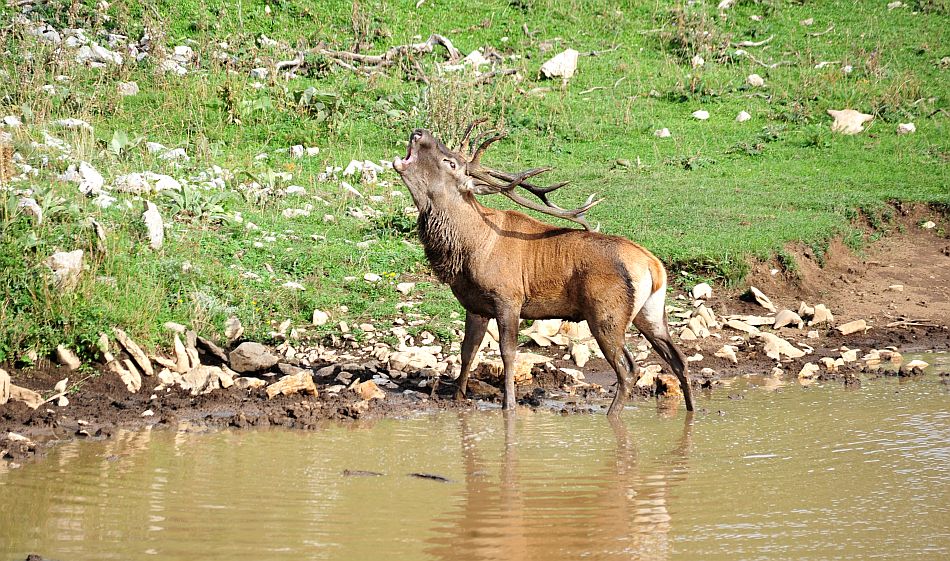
(620, 511)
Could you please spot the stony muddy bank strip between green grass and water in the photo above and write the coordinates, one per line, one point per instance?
(852, 319)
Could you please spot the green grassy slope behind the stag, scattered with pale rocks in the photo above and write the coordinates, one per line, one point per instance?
(715, 196)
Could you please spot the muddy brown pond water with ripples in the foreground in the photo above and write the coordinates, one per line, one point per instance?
(767, 471)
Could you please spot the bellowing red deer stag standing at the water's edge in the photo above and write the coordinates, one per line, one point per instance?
(506, 265)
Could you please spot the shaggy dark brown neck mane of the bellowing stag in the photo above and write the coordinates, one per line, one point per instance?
(451, 234)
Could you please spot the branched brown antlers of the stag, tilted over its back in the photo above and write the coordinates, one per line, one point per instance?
(505, 183)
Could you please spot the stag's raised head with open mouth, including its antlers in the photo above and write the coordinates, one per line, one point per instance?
(433, 171)
